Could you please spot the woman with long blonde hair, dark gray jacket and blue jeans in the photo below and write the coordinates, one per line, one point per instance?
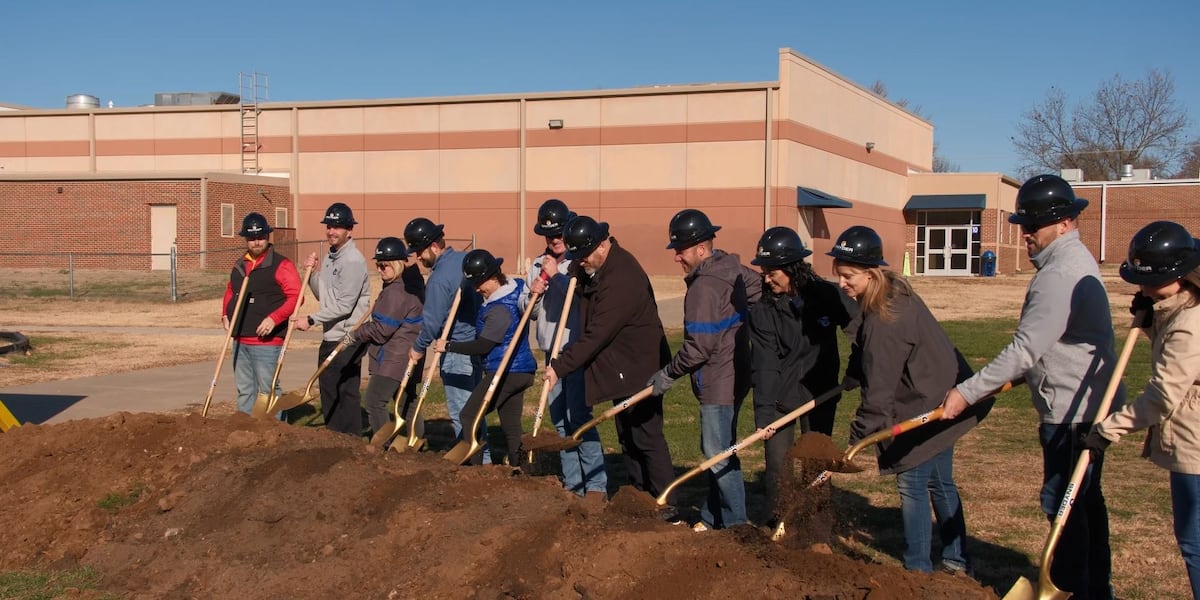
(905, 363)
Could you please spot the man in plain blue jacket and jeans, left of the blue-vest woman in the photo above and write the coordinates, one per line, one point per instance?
(460, 375)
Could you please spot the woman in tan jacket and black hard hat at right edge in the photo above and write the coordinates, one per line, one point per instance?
(1165, 261)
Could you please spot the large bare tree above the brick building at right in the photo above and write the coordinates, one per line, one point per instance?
(1126, 123)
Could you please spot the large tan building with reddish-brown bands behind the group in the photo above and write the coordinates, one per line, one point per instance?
(811, 151)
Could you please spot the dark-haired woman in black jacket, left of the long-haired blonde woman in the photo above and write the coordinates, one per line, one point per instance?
(795, 350)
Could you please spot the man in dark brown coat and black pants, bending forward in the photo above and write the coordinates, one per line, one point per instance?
(621, 345)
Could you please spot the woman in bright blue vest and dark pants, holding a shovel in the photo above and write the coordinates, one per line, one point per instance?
(495, 331)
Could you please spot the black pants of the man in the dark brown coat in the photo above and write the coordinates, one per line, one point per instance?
(647, 457)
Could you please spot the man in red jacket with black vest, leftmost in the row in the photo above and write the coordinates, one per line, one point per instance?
(271, 301)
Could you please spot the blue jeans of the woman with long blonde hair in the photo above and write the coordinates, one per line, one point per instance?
(932, 483)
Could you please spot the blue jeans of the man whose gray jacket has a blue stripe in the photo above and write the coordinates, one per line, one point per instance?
(727, 505)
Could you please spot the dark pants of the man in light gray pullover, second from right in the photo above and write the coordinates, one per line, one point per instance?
(1083, 561)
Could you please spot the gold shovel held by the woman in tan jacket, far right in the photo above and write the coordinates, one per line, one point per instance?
(1046, 590)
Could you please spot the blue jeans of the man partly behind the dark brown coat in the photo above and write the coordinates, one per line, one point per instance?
(583, 466)
